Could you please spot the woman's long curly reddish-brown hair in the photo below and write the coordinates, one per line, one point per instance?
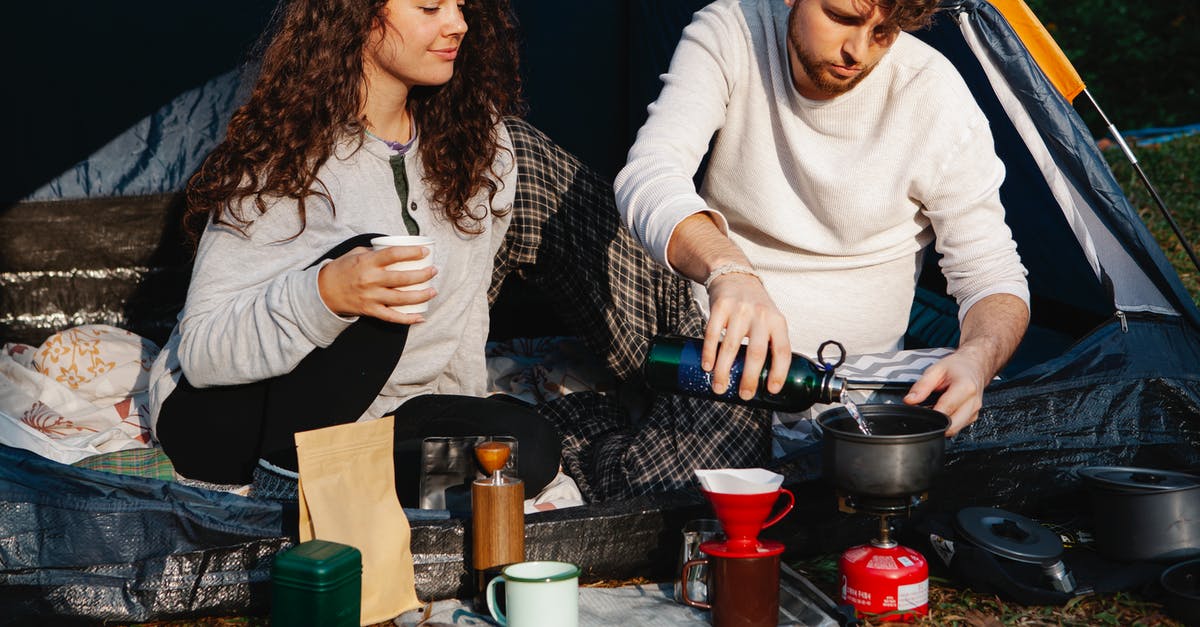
(309, 97)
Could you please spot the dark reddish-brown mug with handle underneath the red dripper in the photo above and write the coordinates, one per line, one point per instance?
(742, 592)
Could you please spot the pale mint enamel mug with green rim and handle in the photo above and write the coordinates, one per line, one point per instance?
(537, 595)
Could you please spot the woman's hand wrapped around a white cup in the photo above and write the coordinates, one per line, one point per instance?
(359, 284)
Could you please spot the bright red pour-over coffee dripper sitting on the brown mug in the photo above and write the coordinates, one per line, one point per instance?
(743, 516)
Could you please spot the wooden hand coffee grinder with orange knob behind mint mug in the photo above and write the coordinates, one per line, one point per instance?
(497, 505)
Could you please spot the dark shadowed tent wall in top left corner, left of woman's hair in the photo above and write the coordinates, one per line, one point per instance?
(77, 74)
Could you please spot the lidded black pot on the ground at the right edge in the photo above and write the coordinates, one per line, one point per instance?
(1144, 513)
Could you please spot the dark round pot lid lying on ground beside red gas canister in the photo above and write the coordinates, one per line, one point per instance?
(1010, 535)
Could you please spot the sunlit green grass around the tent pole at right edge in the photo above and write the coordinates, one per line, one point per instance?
(1174, 169)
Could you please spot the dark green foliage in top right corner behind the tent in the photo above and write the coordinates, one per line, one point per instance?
(1141, 61)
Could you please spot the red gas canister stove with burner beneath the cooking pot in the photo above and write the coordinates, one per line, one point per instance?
(884, 578)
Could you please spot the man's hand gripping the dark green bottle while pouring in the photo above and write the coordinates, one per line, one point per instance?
(741, 307)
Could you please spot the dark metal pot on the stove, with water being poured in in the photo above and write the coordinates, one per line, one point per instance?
(901, 457)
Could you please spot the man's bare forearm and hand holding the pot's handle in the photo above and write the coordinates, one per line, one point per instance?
(992, 330)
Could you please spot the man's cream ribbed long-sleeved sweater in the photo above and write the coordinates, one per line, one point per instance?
(832, 201)
